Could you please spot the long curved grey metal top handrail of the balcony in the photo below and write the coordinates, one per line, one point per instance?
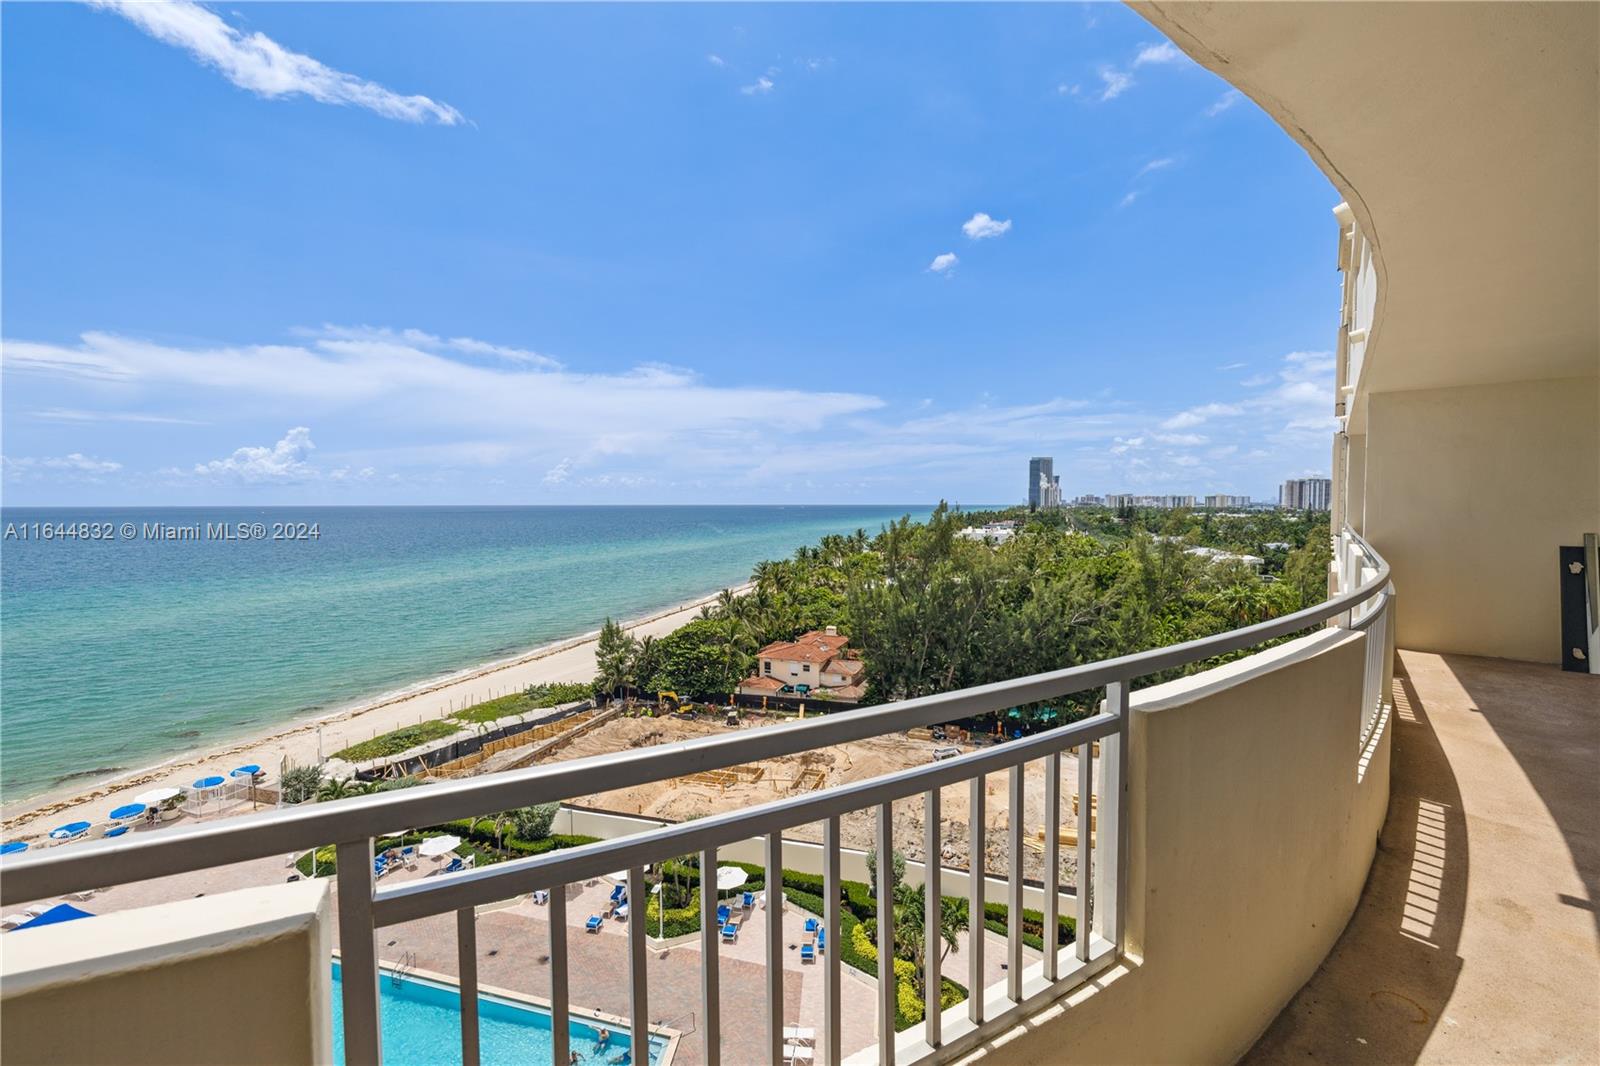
(234, 841)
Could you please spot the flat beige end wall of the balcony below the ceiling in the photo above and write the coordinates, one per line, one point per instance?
(1470, 492)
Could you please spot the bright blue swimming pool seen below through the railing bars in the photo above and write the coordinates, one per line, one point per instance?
(422, 1027)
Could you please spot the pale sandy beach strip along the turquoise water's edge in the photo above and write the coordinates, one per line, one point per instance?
(564, 662)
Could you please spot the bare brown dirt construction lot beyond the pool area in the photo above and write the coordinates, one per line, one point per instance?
(841, 764)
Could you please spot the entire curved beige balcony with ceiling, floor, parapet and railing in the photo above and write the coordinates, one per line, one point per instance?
(1372, 840)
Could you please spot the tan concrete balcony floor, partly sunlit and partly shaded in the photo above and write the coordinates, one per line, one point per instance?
(1478, 937)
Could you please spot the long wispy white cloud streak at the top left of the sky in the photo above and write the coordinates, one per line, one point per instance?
(262, 66)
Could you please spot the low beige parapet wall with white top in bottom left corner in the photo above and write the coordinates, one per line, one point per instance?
(241, 977)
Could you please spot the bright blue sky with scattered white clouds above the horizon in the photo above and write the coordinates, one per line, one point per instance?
(615, 254)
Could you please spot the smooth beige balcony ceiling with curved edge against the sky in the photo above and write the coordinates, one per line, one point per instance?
(1466, 138)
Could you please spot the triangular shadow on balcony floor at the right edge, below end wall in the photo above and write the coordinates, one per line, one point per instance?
(1550, 721)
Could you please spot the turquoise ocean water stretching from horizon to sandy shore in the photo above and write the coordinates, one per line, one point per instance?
(121, 654)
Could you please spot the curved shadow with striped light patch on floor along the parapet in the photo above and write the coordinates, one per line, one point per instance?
(1382, 992)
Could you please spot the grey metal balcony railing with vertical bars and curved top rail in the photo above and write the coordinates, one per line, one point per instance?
(1100, 899)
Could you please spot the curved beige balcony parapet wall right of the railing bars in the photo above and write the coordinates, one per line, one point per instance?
(1254, 827)
